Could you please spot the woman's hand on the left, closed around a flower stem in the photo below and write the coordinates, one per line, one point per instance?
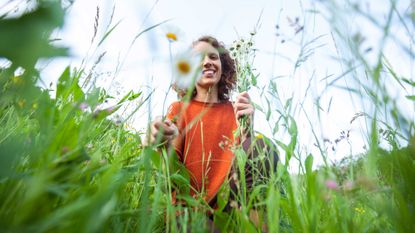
(162, 131)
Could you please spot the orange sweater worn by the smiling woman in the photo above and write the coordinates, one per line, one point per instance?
(204, 141)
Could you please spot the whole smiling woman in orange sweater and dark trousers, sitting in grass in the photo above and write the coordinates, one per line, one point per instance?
(206, 133)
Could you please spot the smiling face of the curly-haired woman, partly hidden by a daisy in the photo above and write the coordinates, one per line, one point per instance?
(211, 69)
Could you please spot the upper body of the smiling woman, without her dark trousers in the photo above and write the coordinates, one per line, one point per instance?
(206, 125)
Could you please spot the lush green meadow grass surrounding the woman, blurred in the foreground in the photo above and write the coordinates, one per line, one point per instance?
(67, 167)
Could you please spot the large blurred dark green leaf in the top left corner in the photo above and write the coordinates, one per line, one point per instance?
(25, 39)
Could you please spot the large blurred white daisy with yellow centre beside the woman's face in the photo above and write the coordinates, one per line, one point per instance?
(186, 67)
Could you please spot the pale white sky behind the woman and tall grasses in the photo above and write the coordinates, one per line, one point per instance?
(285, 32)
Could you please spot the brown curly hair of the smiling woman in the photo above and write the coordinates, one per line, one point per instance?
(227, 81)
